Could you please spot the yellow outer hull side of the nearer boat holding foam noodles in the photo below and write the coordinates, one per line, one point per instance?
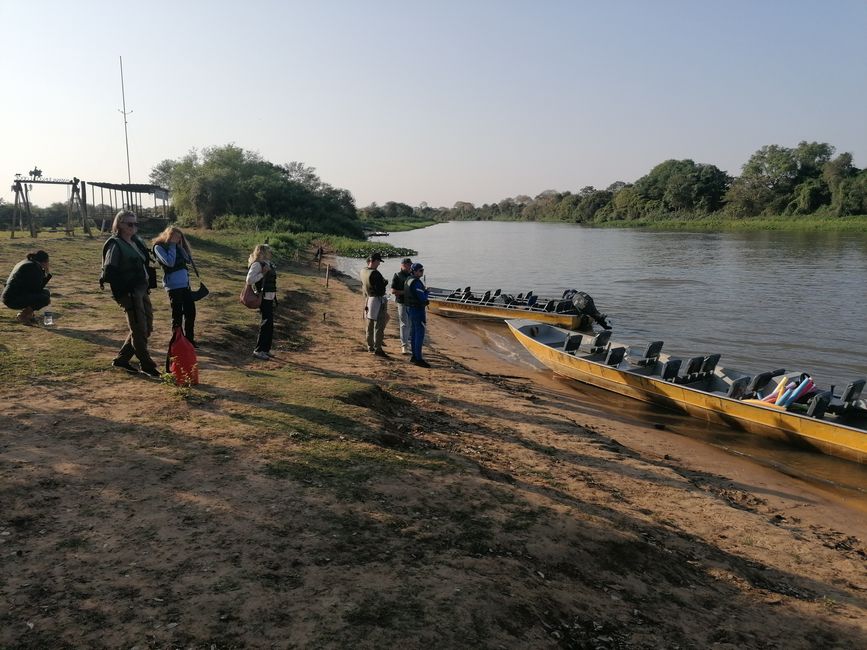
(833, 438)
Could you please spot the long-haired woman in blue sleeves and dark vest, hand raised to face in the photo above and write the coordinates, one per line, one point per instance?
(173, 253)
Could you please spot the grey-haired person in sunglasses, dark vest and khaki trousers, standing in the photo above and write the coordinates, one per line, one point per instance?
(125, 270)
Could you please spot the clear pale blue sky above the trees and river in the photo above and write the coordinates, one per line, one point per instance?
(436, 102)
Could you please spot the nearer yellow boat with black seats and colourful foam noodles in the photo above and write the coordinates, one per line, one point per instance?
(835, 425)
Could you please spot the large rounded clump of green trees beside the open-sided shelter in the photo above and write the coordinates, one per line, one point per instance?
(230, 187)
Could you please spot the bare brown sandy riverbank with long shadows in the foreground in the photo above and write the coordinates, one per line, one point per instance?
(557, 524)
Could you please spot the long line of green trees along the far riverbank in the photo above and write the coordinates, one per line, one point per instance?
(805, 180)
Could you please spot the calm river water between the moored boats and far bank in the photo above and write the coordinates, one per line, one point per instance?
(765, 300)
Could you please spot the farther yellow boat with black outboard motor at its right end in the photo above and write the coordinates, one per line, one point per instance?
(568, 311)
